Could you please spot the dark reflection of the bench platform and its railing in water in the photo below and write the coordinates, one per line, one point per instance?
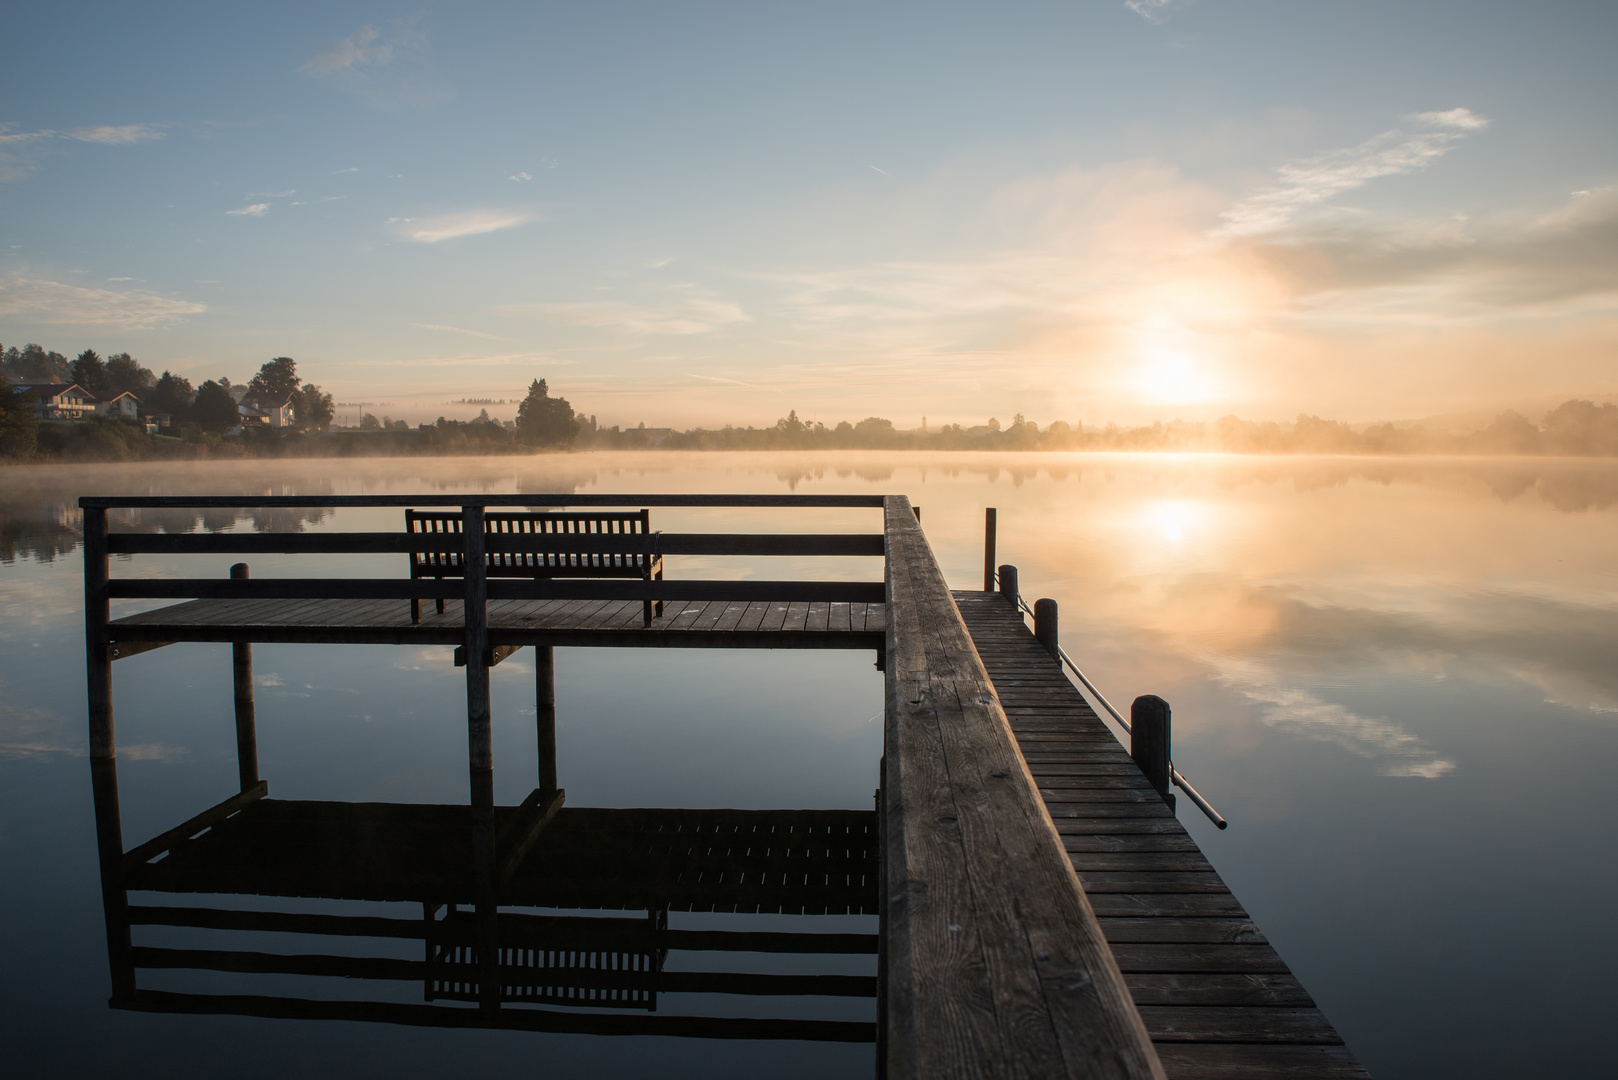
(551, 971)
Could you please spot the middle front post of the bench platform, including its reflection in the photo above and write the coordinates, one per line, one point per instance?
(481, 757)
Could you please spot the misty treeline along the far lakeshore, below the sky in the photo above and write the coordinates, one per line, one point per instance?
(205, 415)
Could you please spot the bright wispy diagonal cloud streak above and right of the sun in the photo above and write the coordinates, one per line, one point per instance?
(1316, 181)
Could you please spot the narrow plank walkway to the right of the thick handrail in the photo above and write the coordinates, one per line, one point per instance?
(1216, 998)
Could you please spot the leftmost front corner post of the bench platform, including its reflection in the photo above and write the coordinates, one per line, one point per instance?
(104, 765)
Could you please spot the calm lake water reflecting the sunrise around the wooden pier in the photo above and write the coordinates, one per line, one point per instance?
(1396, 678)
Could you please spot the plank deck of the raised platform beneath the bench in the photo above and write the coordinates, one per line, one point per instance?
(590, 623)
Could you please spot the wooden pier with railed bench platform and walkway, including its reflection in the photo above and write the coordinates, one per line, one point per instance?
(999, 793)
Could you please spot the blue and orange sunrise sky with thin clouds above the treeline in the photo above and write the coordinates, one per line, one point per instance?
(716, 213)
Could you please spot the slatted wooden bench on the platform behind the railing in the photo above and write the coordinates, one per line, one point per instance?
(540, 564)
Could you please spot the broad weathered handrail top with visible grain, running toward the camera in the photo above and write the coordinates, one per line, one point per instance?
(996, 964)
